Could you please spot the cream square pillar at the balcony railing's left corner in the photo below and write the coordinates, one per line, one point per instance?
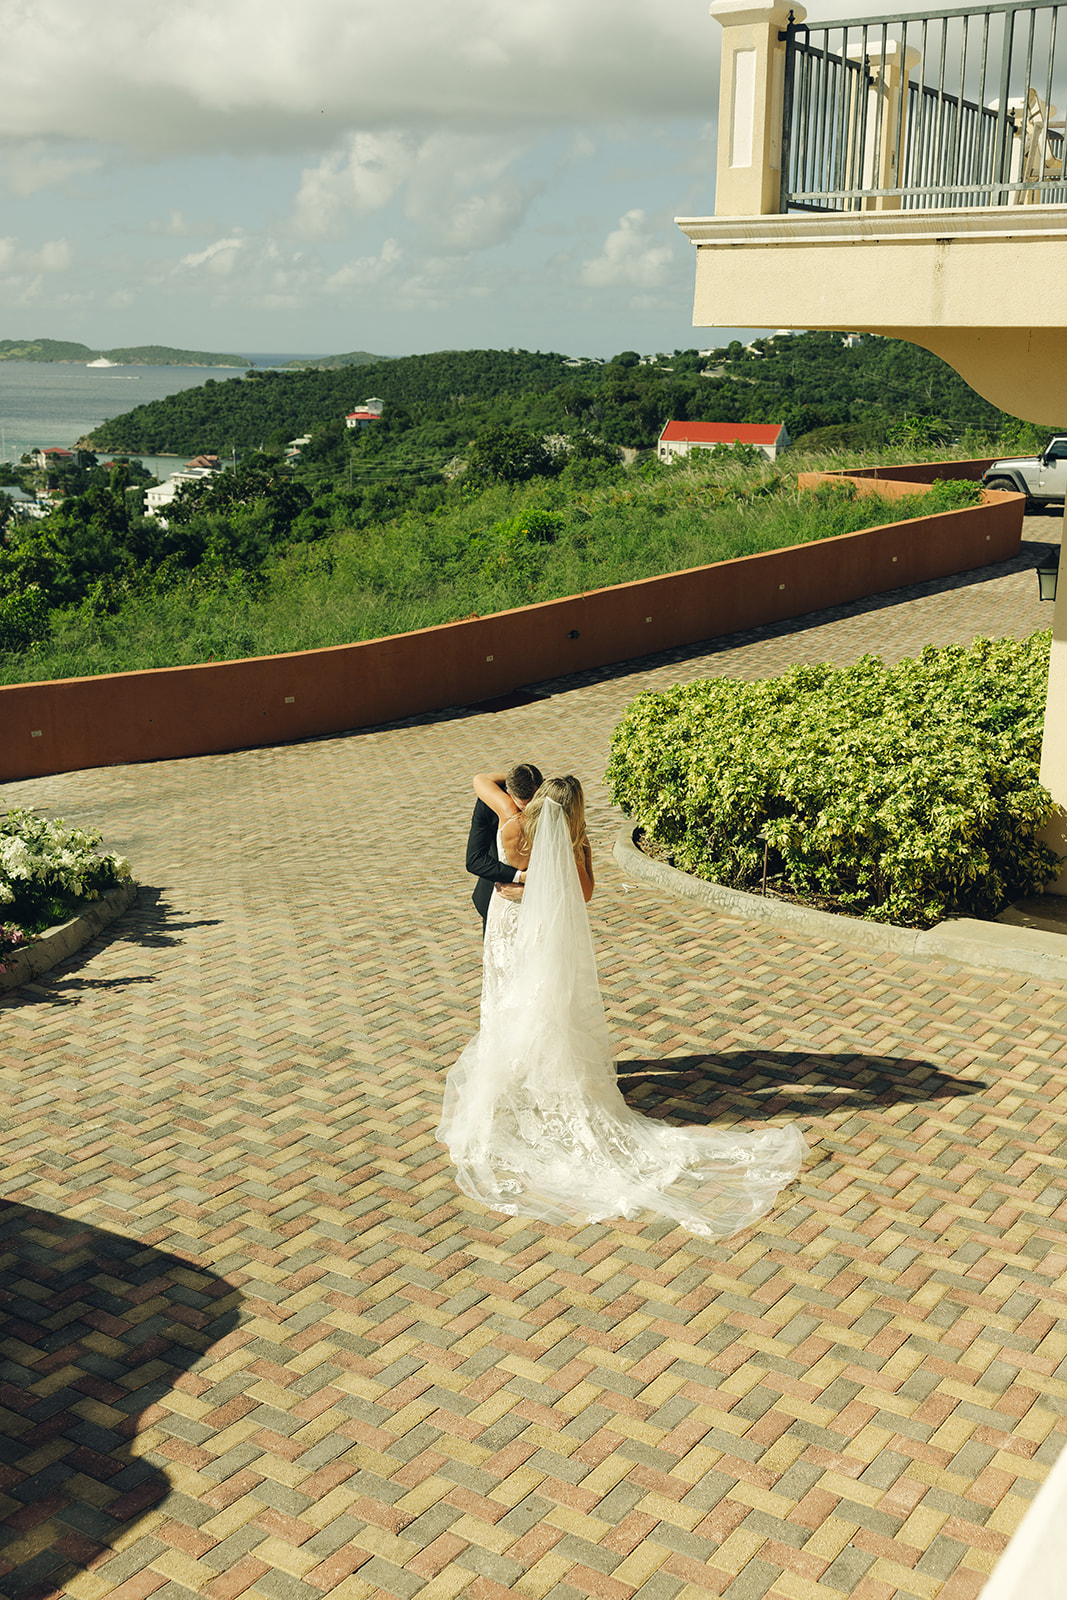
(751, 81)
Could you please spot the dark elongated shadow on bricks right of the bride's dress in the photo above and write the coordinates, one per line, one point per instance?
(773, 1082)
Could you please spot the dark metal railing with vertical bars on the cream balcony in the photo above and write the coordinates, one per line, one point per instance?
(922, 113)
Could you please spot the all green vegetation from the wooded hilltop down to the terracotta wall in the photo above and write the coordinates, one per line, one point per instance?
(492, 479)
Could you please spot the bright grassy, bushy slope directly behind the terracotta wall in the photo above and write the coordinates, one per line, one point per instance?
(273, 575)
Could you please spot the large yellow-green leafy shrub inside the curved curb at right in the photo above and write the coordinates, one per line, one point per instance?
(901, 794)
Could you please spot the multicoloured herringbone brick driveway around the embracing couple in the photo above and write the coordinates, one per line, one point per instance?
(255, 1343)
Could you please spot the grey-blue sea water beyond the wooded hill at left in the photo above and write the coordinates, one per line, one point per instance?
(57, 402)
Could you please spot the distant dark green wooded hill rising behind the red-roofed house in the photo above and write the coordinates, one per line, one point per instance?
(438, 404)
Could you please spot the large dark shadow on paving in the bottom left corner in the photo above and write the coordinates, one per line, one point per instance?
(95, 1330)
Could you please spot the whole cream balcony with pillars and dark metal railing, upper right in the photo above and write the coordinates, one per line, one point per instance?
(897, 175)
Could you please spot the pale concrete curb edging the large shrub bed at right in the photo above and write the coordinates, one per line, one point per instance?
(969, 942)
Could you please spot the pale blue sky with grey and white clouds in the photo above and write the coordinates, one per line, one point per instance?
(337, 175)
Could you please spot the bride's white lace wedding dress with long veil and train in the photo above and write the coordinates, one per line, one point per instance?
(533, 1116)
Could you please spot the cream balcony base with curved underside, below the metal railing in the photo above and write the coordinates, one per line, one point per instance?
(977, 287)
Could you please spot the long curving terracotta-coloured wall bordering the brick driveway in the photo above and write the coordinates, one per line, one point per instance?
(238, 705)
